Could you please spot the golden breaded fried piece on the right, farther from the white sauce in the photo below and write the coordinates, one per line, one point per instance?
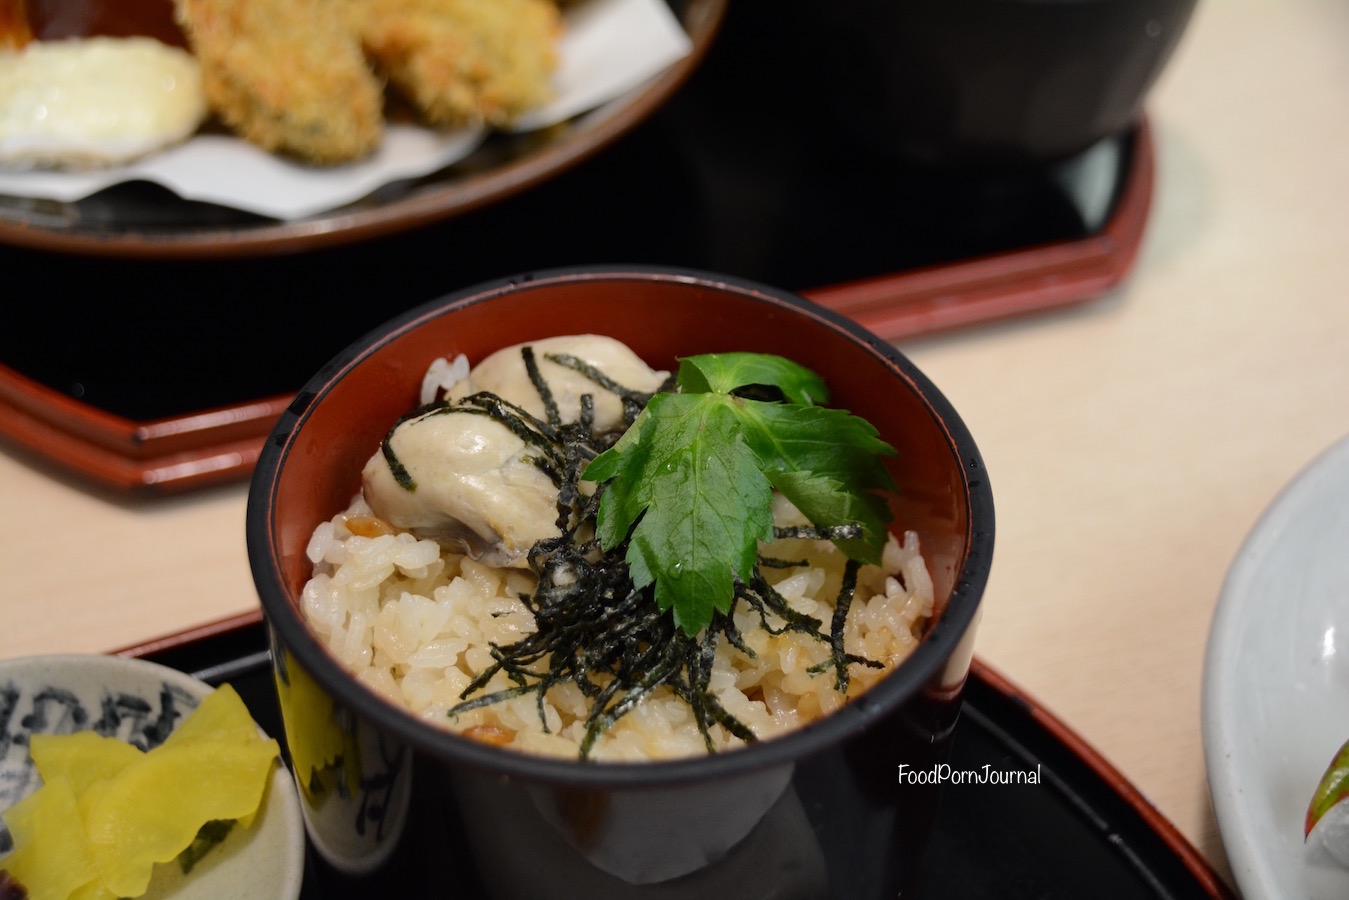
(465, 61)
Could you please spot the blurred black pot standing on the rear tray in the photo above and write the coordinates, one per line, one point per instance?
(989, 83)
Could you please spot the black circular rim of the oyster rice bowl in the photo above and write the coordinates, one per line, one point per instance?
(909, 679)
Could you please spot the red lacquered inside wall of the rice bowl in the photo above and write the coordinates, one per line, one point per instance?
(662, 319)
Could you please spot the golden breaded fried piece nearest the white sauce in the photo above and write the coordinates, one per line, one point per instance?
(288, 75)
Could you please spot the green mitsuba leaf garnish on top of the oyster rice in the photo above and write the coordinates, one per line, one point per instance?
(691, 484)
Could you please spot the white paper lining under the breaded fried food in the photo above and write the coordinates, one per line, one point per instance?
(608, 49)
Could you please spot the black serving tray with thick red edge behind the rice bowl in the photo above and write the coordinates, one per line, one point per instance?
(164, 374)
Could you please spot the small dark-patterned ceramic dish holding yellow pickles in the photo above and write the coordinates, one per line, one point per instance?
(140, 702)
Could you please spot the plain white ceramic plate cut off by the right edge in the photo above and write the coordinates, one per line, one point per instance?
(1277, 685)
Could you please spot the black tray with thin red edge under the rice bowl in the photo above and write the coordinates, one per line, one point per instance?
(1083, 831)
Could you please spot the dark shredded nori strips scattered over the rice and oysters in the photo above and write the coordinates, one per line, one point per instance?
(594, 628)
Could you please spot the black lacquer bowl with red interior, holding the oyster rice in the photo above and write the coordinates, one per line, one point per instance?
(420, 812)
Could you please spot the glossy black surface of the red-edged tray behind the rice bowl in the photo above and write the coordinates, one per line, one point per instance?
(747, 172)
